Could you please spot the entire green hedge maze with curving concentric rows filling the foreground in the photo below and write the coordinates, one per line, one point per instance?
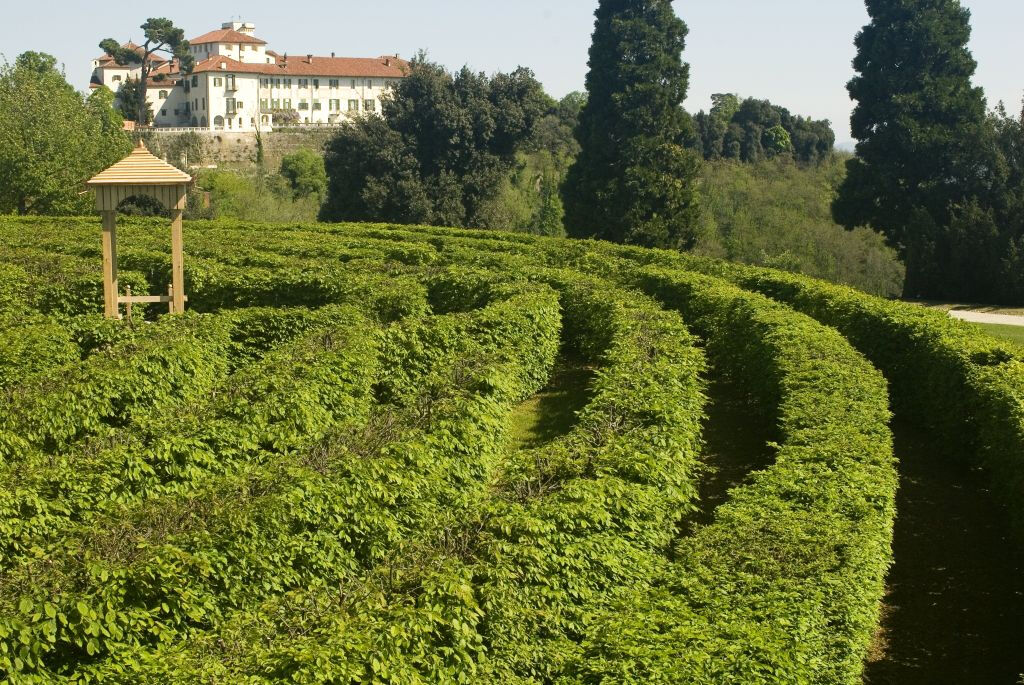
(309, 477)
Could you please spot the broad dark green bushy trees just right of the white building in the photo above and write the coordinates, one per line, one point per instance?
(441, 154)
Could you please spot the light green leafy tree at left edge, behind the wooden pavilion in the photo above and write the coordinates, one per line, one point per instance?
(52, 139)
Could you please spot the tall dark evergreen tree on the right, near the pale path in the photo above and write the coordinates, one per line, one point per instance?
(924, 146)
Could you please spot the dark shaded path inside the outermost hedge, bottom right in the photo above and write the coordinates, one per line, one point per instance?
(955, 612)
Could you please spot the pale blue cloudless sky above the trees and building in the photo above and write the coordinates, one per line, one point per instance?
(795, 53)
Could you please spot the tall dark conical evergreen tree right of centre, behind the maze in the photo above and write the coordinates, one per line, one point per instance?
(634, 181)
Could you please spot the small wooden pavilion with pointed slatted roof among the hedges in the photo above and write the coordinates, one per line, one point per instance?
(141, 175)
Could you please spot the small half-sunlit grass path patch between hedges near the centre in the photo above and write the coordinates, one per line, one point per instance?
(552, 413)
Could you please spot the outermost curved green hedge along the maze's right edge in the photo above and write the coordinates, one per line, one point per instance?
(946, 376)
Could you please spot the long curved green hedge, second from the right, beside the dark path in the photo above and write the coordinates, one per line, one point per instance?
(786, 585)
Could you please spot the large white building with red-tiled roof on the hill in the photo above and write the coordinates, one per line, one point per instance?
(240, 85)
